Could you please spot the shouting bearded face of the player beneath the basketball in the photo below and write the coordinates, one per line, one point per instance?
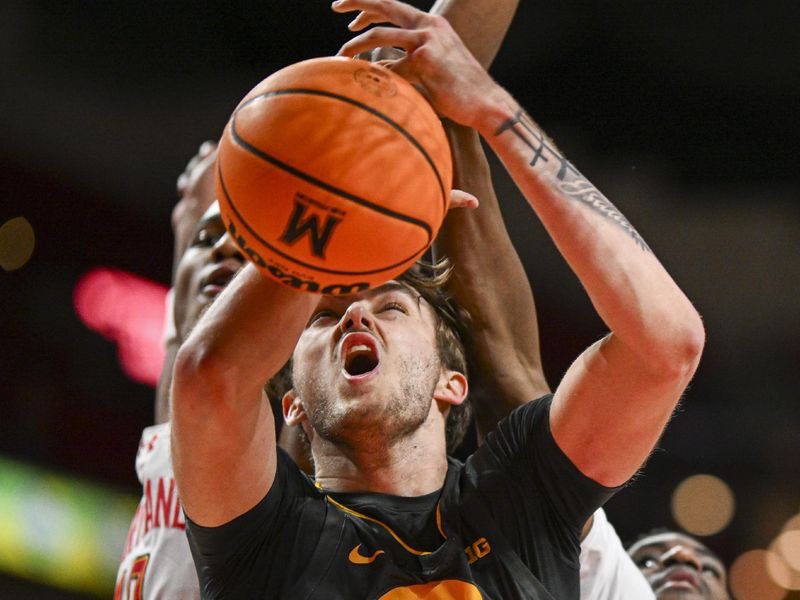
(367, 367)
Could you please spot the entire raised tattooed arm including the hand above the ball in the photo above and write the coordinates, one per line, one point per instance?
(615, 400)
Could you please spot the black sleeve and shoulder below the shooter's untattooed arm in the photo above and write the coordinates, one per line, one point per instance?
(231, 560)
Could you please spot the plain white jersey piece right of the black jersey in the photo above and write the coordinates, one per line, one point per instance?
(607, 572)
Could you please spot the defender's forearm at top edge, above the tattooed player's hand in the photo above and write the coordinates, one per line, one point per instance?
(481, 24)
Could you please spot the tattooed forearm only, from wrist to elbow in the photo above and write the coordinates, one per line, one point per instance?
(631, 291)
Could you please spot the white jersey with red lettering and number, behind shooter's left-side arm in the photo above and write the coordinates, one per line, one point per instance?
(156, 563)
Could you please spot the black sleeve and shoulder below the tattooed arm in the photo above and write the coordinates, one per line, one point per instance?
(535, 493)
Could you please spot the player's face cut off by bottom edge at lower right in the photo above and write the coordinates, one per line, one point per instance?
(679, 567)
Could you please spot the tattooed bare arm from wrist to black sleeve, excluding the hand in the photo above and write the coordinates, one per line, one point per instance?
(615, 399)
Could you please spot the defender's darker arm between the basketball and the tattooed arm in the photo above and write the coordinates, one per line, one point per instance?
(490, 282)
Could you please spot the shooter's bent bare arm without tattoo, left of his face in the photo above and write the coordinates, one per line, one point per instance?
(223, 440)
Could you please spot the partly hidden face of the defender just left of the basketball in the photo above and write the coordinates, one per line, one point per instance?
(206, 267)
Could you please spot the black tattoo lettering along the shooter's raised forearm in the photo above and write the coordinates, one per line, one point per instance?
(570, 181)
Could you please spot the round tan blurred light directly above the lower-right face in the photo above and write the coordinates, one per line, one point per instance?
(703, 504)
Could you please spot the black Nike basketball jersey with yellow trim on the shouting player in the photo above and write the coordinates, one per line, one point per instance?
(506, 524)
